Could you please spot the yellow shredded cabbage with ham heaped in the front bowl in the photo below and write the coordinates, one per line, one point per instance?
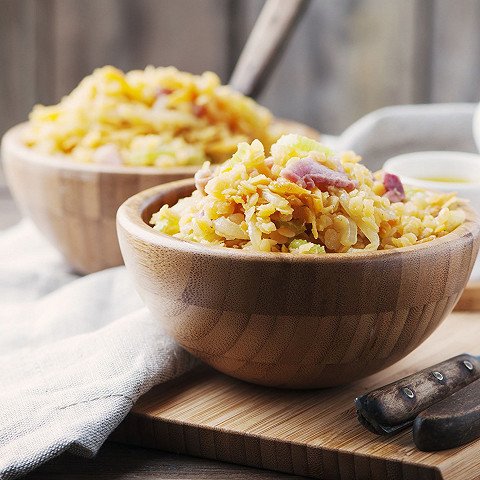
(303, 198)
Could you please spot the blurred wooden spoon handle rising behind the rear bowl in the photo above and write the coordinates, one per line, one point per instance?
(269, 35)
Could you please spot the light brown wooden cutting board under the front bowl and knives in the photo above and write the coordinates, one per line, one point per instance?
(312, 433)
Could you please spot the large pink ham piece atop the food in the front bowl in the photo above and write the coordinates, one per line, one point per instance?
(308, 173)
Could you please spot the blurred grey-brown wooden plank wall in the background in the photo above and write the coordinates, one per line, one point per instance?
(348, 57)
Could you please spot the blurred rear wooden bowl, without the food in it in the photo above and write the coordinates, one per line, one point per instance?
(74, 204)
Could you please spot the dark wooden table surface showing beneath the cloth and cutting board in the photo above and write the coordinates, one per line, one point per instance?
(115, 461)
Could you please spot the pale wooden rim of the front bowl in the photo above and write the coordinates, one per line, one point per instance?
(129, 217)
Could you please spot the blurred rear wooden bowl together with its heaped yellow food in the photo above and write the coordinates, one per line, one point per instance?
(73, 164)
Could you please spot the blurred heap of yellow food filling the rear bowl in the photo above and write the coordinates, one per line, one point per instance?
(153, 117)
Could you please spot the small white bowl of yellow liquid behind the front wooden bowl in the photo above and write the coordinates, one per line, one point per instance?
(420, 169)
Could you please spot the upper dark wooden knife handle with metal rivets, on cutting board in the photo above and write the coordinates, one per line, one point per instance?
(394, 406)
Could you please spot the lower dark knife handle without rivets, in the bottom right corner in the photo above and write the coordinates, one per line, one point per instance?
(450, 423)
